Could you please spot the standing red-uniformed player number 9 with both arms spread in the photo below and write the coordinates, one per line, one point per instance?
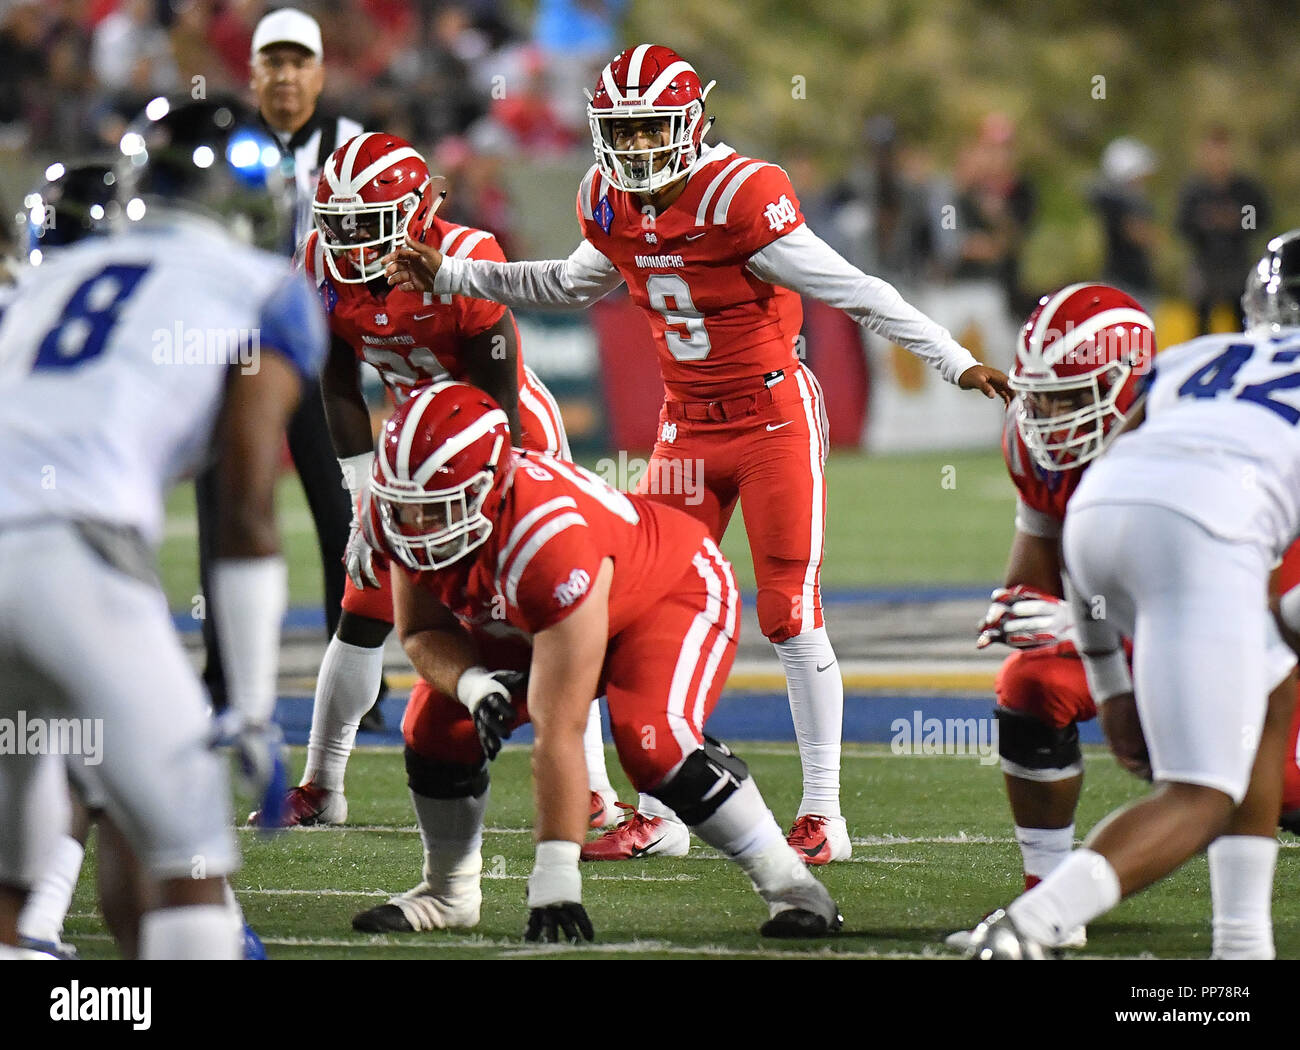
(714, 250)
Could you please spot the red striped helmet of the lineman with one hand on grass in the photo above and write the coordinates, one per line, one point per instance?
(440, 472)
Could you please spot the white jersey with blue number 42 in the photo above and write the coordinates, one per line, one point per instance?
(1221, 441)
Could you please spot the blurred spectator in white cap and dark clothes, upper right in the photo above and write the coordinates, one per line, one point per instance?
(1123, 201)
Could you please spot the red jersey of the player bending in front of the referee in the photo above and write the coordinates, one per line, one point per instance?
(411, 339)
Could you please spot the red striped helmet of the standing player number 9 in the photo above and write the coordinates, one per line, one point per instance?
(645, 83)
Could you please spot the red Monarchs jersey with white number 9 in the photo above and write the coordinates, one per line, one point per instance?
(714, 322)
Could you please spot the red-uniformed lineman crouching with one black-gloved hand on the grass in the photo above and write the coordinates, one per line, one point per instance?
(619, 596)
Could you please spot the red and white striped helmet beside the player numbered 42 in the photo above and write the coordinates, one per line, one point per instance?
(1078, 371)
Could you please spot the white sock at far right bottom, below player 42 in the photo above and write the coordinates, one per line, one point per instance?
(1242, 891)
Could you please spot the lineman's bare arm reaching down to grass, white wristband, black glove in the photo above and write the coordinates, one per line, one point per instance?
(566, 669)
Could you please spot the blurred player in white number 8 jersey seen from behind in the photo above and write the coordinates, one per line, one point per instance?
(105, 406)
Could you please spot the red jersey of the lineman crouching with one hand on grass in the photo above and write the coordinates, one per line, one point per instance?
(556, 526)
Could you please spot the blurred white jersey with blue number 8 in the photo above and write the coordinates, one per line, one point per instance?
(114, 359)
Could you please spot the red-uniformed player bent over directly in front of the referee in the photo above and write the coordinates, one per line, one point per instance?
(372, 190)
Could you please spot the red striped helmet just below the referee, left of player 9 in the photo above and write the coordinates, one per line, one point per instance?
(367, 193)
